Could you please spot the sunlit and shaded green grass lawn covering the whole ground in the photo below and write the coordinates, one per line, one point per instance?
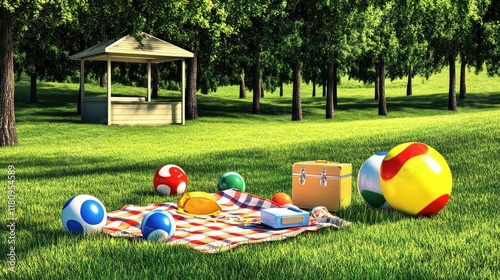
(58, 157)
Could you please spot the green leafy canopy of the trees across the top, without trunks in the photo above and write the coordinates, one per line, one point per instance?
(229, 35)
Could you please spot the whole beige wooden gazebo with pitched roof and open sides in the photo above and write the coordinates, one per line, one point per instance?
(132, 110)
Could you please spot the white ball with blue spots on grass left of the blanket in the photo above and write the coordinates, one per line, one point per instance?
(83, 214)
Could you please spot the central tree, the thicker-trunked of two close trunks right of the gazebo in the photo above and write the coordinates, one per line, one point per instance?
(254, 45)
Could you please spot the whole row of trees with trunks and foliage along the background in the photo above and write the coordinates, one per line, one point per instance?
(255, 43)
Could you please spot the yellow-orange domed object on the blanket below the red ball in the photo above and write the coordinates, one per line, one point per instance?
(198, 203)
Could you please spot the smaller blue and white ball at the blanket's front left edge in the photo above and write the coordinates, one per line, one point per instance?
(158, 225)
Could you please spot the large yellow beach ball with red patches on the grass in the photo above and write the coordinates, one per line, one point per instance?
(415, 179)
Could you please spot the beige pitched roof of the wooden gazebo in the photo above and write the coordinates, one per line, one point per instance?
(128, 49)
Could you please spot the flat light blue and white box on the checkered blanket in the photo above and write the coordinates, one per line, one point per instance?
(284, 217)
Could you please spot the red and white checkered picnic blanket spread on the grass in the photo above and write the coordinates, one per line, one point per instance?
(238, 223)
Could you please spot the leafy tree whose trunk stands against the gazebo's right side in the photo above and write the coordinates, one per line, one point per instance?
(203, 26)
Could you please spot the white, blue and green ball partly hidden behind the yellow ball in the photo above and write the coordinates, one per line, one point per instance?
(369, 182)
